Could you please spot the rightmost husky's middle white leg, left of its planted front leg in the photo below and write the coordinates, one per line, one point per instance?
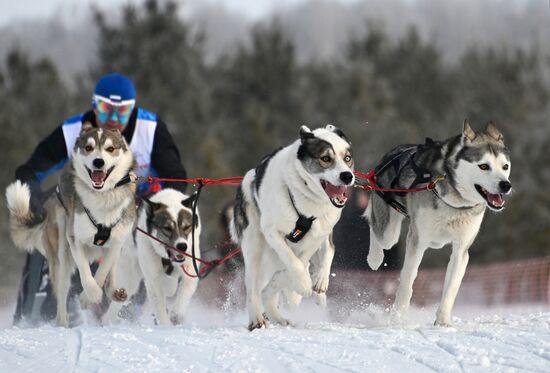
(413, 257)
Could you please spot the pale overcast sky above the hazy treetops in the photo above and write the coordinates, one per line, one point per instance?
(37, 9)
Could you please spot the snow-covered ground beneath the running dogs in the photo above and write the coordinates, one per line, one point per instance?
(368, 339)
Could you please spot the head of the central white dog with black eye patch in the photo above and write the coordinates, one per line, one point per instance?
(327, 155)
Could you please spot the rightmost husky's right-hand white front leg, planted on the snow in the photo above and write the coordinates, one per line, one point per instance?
(453, 278)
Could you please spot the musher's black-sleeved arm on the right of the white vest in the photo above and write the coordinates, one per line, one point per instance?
(166, 158)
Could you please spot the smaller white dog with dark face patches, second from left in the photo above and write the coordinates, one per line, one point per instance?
(168, 216)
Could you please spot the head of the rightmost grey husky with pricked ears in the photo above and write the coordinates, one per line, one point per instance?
(483, 167)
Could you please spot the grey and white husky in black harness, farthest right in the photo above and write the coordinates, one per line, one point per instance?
(476, 167)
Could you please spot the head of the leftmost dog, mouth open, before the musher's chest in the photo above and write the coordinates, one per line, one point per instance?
(103, 157)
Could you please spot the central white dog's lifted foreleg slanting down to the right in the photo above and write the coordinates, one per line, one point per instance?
(296, 268)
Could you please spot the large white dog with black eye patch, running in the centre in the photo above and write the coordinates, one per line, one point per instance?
(284, 213)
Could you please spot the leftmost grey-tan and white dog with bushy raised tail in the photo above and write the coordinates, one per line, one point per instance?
(89, 218)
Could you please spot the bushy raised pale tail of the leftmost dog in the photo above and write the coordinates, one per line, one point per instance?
(25, 235)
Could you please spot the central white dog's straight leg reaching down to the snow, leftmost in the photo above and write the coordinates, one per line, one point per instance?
(252, 246)
